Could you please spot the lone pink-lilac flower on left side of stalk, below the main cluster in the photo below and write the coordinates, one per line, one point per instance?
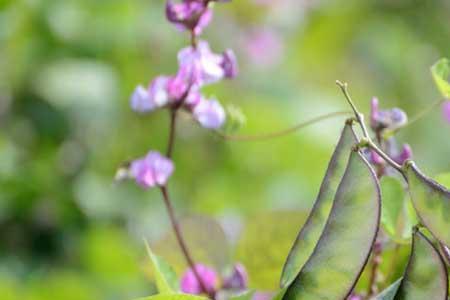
(151, 170)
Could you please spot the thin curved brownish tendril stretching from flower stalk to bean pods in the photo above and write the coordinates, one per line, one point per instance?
(280, 133)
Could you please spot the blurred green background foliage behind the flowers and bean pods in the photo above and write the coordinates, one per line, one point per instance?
(67, 69)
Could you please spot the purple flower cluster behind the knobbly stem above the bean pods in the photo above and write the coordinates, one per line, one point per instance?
(382, 122)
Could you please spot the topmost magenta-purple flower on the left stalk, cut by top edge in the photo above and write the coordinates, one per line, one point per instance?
(191, 15)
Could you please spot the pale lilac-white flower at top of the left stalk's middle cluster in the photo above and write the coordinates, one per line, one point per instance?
(201, 64)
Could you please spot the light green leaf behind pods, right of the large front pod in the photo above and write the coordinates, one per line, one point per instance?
(397, 215)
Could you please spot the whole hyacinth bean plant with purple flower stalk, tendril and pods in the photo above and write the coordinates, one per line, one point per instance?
(353, 214)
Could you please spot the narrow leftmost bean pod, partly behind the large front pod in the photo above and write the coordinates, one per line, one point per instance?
(310, 232)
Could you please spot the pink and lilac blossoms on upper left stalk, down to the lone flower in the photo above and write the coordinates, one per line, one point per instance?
(198, 66)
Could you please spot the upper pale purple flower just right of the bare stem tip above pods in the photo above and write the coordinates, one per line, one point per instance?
(386, 119)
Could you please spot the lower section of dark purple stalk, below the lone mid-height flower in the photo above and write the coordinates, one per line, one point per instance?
(181, 242)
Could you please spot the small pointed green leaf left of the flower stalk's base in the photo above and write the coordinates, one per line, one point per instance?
(165, 277)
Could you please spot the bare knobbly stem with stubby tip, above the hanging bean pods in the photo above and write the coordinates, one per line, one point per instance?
(367, 140)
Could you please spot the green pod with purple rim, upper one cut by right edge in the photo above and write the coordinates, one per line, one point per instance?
(431, 201)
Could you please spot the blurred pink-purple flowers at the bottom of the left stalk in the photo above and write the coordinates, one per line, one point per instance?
(234, 282)
